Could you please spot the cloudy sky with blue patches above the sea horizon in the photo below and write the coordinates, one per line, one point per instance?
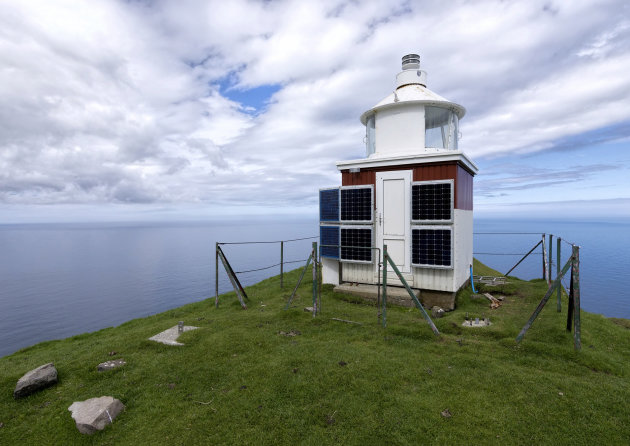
(193, 110)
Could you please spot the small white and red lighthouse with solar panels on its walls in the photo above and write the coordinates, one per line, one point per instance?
(413, 192)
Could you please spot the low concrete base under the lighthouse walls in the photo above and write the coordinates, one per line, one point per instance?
(400, 296)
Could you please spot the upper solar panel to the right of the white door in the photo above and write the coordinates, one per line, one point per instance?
(432, 201)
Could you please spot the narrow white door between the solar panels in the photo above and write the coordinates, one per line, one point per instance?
(393, 207)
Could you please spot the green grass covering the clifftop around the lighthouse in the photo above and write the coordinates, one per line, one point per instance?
(238, 381)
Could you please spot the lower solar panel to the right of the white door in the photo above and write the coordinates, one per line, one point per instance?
(431, 246)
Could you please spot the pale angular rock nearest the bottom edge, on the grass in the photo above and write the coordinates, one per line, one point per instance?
(96, 413)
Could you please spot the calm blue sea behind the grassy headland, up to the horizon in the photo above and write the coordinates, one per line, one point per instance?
(60, 280)
